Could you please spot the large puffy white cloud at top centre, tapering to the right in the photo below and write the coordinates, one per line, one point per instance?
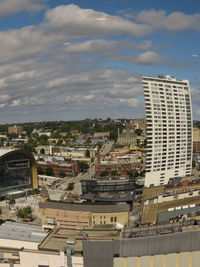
(75, 21)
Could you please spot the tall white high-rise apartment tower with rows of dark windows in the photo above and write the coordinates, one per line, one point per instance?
(169, 129)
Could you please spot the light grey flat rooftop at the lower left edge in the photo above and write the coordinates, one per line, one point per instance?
(22, 231)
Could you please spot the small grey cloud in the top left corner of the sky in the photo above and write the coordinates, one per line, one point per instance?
(8, 7)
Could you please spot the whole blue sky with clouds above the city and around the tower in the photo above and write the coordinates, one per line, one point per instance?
(71, 60)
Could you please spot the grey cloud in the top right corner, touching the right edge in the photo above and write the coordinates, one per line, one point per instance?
(176, 21)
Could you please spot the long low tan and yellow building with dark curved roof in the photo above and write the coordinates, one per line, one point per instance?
(84, 215)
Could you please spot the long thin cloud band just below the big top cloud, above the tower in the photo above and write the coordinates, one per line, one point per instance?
(121, 51)
